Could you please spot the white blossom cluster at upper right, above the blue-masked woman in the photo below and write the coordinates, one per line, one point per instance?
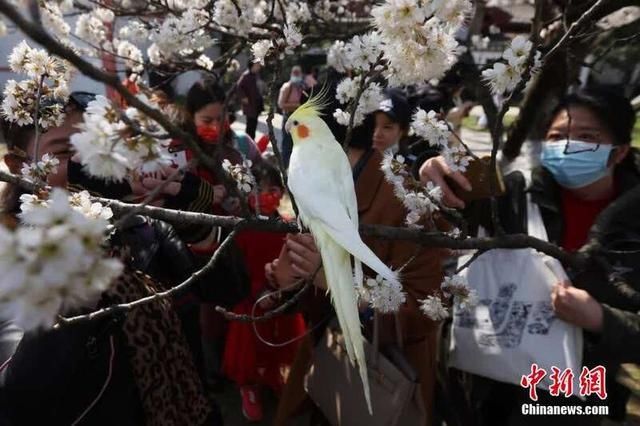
(505, 75)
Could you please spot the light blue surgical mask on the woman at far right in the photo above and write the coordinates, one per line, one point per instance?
(575, 164)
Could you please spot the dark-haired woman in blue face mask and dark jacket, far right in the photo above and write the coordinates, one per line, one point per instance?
(587, 190)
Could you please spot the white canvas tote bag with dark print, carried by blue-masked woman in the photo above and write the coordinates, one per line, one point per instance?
(514, 325)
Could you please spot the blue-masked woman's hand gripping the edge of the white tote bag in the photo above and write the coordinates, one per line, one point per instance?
(577, 307)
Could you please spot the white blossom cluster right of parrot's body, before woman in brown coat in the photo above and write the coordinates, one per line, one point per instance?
(419, 200)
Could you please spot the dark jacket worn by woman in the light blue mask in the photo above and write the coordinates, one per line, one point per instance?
(614, 238)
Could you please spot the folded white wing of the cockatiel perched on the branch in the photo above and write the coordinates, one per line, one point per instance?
(329, 198)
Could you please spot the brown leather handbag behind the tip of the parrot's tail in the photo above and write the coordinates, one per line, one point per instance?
(334, 384)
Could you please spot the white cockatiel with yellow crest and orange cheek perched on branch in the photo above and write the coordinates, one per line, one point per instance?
(321, 180)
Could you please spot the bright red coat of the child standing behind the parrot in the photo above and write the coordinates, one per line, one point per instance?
(247, 360)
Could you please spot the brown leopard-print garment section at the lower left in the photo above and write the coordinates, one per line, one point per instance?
(163, 368)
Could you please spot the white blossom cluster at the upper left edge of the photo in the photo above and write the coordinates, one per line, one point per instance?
(48, 76)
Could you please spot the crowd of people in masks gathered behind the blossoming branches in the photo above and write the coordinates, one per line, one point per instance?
(161, 363)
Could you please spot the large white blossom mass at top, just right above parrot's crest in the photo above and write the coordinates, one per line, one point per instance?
(413, 42)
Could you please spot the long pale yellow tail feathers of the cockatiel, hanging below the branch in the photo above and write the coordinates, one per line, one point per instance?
(337, 267)
